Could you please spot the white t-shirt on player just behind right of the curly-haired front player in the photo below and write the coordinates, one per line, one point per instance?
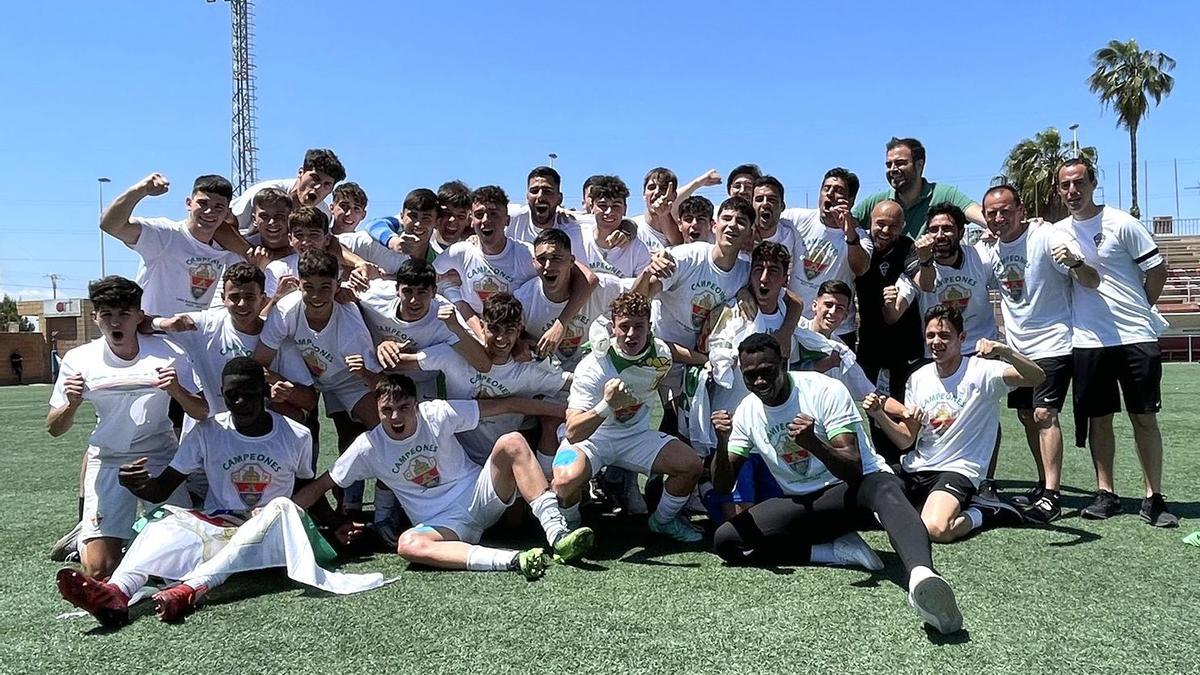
(697, 289)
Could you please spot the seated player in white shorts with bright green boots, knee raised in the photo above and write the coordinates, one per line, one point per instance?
(452, 499)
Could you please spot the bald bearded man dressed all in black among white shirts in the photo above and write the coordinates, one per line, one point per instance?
(889, 353)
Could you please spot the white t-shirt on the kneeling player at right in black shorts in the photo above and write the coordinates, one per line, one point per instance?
(964, 417)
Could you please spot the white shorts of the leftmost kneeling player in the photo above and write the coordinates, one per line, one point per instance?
(109, 509)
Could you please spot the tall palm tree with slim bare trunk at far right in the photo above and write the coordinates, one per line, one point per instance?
(1125, 80)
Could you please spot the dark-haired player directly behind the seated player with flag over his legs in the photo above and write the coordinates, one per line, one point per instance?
(215, 337)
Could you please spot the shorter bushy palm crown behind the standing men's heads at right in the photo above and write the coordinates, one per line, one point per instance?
(1031, 166)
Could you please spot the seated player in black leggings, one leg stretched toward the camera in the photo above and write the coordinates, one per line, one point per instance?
(807, 429)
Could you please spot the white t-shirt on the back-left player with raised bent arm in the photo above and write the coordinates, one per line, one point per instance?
(177, 272)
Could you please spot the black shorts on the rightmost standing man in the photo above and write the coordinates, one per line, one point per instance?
(1103, 375)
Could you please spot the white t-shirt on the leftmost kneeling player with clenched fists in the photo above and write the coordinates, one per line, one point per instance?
(131, 413)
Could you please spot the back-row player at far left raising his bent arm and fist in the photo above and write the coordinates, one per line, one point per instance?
(181, 266)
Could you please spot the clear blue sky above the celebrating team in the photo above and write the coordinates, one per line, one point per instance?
(412, 95)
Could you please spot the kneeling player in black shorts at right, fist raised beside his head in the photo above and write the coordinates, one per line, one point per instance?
(955, 427)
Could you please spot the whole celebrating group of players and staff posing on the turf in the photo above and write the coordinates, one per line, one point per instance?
(801, 375)
